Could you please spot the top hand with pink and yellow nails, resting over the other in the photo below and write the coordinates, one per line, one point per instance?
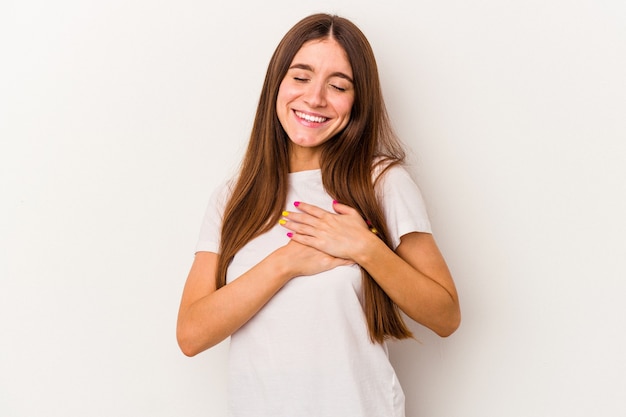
(341, 234)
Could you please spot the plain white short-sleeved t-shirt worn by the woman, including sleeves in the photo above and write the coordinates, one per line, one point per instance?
(307, 352)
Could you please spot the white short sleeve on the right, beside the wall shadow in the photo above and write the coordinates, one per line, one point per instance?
(403, 204)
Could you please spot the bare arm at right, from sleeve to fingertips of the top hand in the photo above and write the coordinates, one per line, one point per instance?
(415, 276)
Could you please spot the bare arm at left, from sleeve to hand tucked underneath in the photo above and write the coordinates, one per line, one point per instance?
(207, 316)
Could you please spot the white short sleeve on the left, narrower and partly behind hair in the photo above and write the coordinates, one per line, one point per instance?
(209, 237)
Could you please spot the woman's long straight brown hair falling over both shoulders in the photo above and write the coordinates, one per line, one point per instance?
(347, 161)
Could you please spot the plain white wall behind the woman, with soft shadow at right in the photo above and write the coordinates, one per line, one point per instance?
(117, 119)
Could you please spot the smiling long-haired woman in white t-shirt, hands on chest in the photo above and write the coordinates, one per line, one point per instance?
(306, 258)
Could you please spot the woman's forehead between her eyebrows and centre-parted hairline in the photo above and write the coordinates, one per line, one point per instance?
(322, 54)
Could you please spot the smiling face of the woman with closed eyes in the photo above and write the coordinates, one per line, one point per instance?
(316, 96)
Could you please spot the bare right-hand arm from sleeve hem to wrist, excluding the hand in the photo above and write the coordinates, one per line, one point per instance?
(423, 290)
